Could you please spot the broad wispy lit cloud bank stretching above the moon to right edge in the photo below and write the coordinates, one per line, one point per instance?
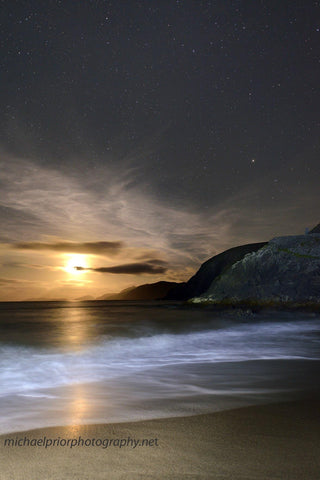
(41, 205)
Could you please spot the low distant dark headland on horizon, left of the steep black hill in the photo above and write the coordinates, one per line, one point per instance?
(148, 291)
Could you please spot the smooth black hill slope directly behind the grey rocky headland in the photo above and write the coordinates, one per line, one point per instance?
(210, 270)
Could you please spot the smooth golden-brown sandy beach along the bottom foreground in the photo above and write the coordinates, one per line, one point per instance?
(277, 441)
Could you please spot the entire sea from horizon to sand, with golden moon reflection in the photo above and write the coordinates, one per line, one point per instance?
(69, 363)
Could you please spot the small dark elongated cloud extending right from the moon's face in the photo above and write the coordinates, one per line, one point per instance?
(151, 267)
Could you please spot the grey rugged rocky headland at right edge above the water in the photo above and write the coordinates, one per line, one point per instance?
(285, 270)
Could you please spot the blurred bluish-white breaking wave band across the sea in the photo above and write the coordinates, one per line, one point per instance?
(24, 370)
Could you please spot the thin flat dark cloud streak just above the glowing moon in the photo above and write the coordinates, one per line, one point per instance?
(94, 248)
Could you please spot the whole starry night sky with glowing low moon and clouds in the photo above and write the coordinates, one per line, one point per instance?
(140, 138)
